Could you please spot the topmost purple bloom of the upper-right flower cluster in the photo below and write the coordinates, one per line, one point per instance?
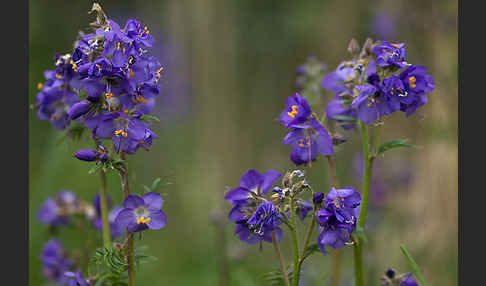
(388, 54)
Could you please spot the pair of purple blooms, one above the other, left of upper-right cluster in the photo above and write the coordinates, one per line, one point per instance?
(307, 136)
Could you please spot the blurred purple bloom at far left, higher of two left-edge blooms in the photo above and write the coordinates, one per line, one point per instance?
(57, 211)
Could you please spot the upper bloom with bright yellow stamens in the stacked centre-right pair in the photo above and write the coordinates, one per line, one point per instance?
(297, 111)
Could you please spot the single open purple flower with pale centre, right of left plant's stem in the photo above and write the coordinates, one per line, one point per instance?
(140, 213)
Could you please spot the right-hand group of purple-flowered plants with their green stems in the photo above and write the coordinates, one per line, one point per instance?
(375, 83)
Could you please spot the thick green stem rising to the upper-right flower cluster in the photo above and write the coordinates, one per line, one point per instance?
(368, 166)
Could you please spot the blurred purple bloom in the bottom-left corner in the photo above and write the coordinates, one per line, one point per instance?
(54, 262)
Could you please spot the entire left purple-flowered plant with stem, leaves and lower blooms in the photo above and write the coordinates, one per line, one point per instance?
(107, 85)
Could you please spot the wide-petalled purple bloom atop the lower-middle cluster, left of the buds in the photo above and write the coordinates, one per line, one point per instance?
(252, 183)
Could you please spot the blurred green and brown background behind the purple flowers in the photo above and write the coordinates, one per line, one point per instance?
(229, 65)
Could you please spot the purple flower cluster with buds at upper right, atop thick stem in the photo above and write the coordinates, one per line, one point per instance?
(378, 83)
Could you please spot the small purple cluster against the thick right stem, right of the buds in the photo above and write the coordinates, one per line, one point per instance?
(338, 217)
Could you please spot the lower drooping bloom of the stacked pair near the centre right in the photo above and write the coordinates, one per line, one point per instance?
(308, 140)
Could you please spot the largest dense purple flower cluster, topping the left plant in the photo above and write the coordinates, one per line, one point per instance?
(108, 83)
